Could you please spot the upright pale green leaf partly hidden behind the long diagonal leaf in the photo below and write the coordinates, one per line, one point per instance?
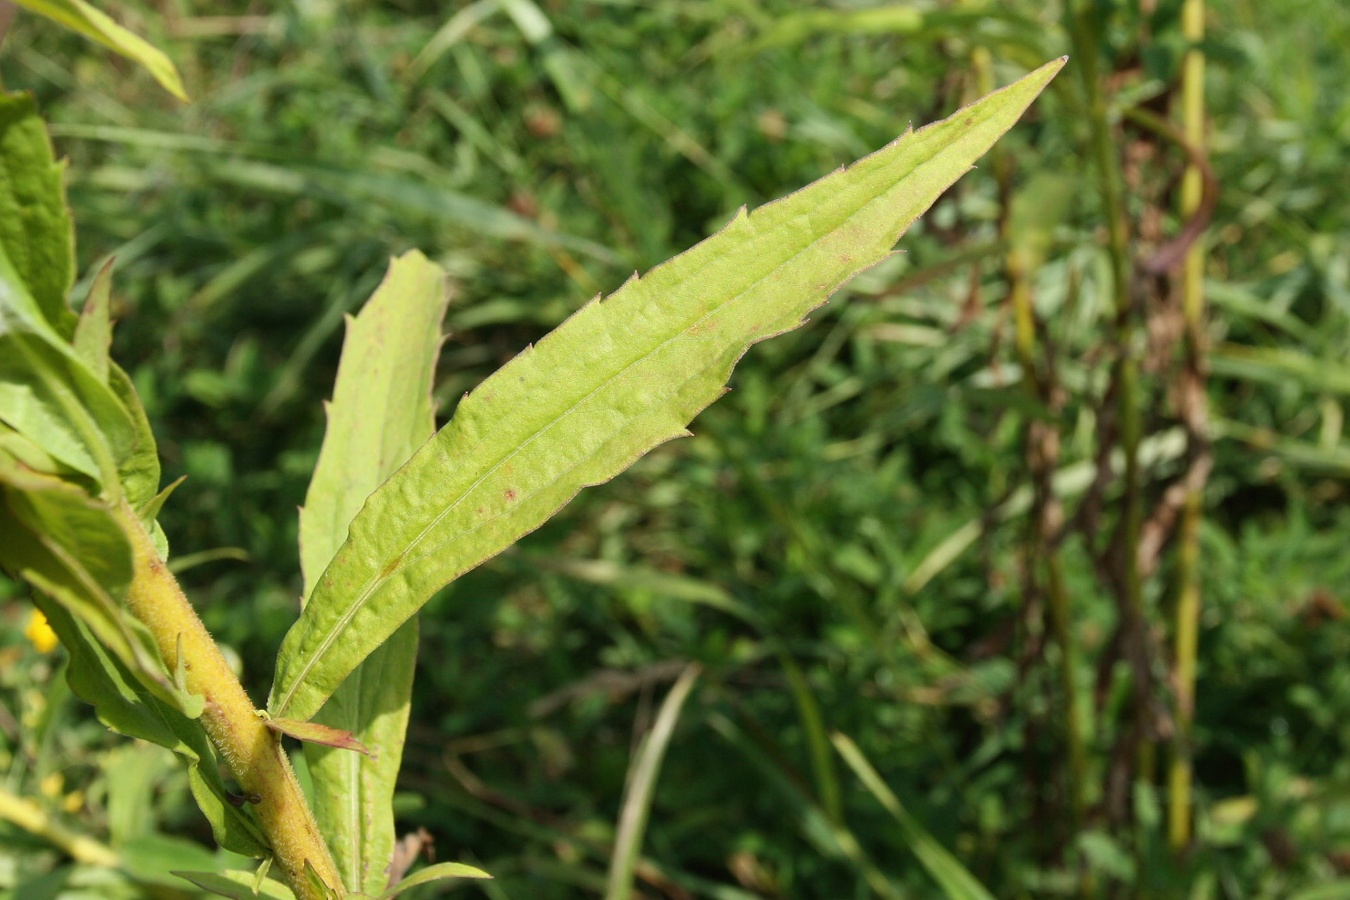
(381, 412)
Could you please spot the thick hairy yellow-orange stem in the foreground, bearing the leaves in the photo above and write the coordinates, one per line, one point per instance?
(250, 750)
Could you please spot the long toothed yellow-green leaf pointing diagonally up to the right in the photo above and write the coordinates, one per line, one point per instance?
(614, 381)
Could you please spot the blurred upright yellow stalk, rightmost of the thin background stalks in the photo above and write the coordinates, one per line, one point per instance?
(1195, 415)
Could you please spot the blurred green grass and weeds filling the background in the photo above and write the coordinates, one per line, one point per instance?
(844, 544)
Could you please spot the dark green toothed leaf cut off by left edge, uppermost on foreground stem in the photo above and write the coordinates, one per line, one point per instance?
(36, 230)
